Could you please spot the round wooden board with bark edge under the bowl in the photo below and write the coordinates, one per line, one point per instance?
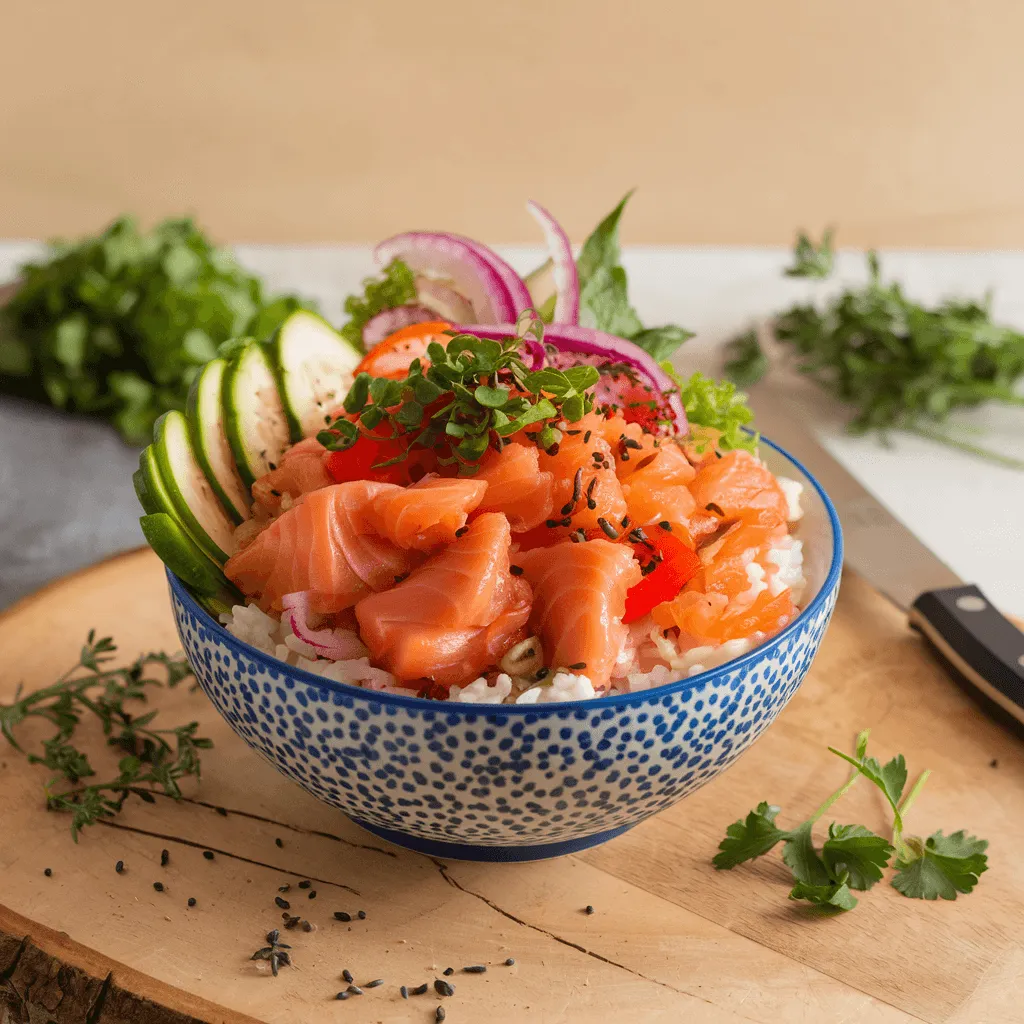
(670, 941)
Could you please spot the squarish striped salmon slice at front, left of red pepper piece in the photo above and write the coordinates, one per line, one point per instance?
(579, 602)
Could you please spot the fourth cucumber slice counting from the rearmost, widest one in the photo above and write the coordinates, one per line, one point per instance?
(194, 503)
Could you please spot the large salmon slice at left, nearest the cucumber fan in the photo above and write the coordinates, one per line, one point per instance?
(323, 545)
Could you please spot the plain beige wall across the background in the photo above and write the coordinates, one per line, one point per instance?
(902, 121)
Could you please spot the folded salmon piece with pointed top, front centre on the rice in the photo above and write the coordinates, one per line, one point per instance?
(455, 616)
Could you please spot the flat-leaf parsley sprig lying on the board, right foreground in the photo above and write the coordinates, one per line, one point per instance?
(852, 858)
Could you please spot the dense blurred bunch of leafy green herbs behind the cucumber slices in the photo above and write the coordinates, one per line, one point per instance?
(119, 325)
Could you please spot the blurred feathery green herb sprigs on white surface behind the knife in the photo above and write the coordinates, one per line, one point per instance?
(900, 365)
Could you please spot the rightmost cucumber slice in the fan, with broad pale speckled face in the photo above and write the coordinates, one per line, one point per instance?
(316, 367)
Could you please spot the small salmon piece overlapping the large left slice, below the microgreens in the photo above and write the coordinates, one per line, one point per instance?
(429, 514)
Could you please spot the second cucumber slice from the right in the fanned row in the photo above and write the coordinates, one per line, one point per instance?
(254, 415)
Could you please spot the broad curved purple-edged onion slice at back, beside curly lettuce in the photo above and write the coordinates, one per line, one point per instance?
(471, 267)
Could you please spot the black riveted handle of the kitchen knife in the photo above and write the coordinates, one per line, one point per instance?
(987, 649)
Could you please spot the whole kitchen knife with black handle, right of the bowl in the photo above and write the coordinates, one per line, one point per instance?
(956, 618)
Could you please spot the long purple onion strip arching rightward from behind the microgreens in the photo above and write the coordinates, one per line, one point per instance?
(584, 345)
